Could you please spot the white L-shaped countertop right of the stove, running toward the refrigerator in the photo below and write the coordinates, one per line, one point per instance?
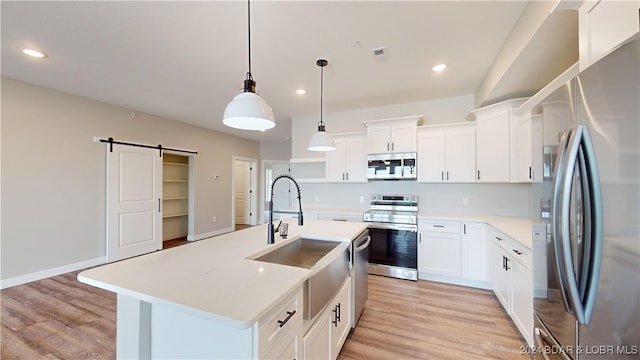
(517, 228)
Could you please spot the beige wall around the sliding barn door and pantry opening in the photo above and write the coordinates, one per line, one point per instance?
(53, 174)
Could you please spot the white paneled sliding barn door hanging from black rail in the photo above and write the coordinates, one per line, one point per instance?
(134, 193)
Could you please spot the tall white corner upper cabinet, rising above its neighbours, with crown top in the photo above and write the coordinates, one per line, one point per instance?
(493, 141)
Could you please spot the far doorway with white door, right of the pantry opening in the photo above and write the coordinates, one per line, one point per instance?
(244, 192)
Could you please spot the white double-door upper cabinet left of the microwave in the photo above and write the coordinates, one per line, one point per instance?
(348, 162)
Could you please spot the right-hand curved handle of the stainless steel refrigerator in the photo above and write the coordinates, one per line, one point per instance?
(592, 255)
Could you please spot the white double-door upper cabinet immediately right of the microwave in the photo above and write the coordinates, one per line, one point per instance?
(447, 153)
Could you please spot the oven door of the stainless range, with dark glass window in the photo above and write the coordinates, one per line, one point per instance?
(393, 250)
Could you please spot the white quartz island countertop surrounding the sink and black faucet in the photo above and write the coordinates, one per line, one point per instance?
(215, 278)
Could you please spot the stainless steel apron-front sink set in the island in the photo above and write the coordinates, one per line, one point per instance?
(320, 288)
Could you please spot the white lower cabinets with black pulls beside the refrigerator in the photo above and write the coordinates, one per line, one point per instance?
(513, 282)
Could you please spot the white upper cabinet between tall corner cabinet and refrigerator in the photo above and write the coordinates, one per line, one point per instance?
(528, 149)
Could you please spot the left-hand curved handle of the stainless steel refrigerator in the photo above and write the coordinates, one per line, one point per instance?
(557, 221)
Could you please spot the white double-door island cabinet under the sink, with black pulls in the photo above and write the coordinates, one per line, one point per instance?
(327, 335)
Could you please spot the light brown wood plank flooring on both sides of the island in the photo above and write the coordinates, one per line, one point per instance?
(61, 318)
